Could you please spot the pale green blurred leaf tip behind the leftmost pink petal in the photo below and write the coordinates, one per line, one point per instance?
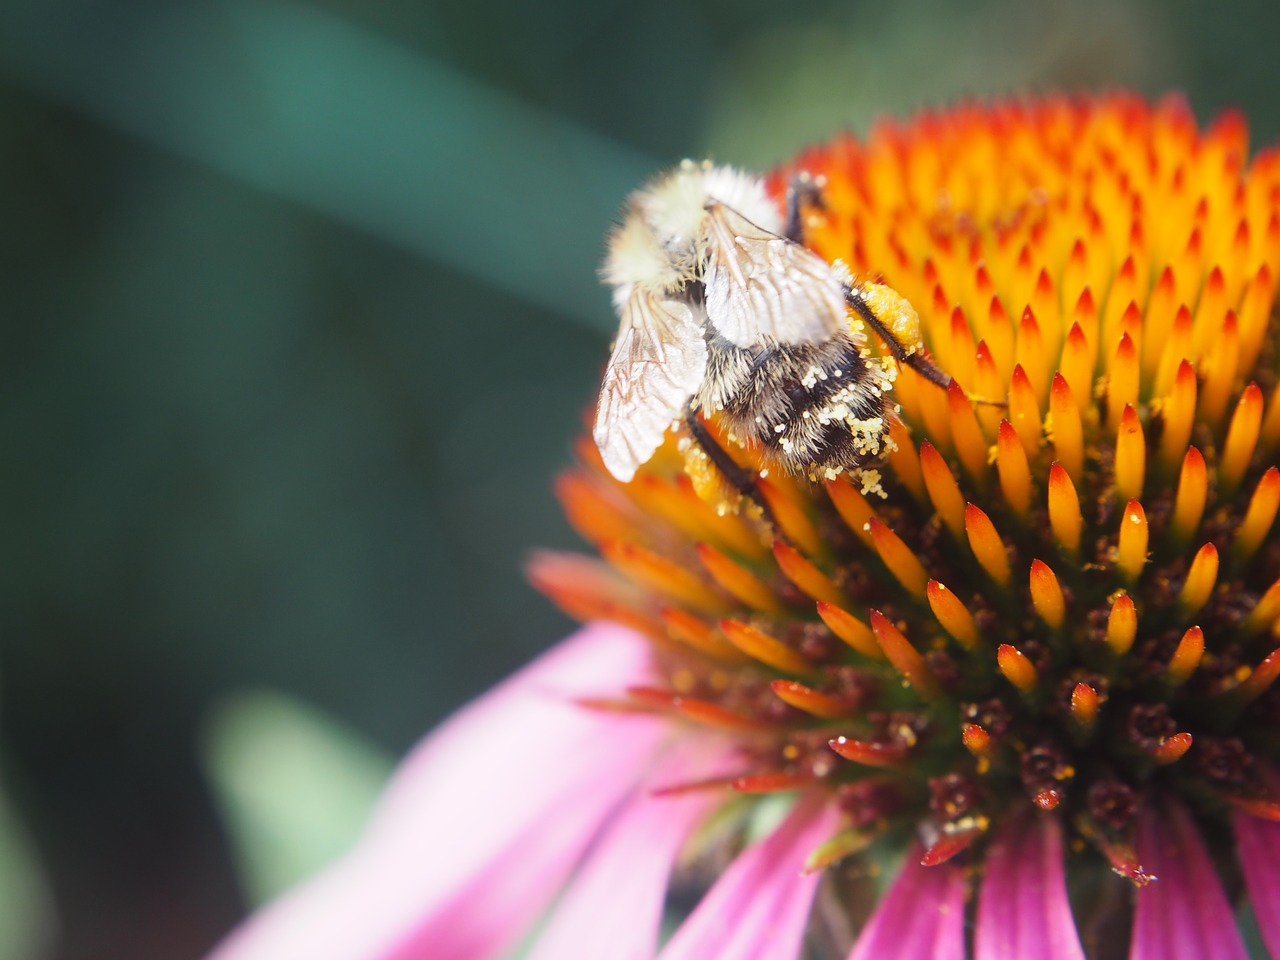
(295, 787)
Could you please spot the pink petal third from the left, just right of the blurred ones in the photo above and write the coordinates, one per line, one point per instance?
(760, 907)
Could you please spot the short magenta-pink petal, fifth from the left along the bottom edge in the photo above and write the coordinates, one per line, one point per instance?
(1023, 909)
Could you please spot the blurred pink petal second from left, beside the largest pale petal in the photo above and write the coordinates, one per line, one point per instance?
(612, 909)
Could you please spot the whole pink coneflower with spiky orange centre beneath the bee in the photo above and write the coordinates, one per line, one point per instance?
(1014, 702)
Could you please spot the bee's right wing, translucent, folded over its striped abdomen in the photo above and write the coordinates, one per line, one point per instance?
(760, 285)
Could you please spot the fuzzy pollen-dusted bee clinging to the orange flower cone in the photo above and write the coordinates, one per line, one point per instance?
(724, 314)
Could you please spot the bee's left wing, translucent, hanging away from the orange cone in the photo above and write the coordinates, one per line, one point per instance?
(659, 363)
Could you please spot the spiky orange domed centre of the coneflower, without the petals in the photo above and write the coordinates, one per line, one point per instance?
(1066, 596)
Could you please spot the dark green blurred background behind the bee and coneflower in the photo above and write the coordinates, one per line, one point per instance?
(301, 314)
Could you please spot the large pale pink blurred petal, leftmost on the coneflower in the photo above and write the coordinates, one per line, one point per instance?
(483, 822)
